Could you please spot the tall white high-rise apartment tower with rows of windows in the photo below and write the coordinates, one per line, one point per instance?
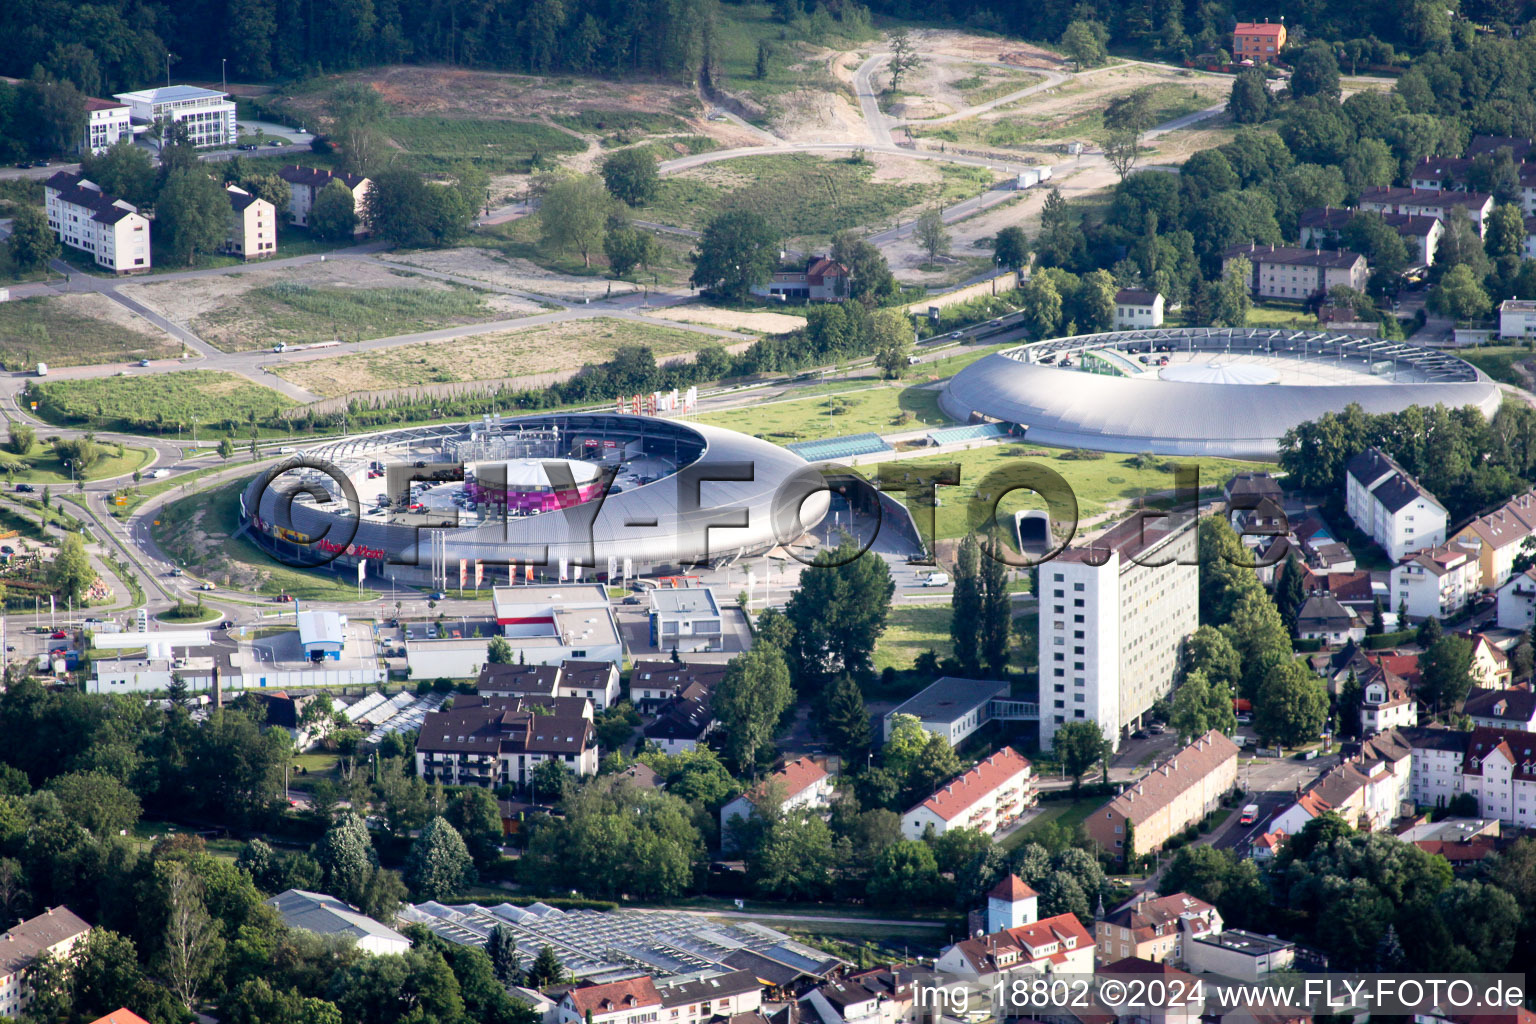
(1113, 618)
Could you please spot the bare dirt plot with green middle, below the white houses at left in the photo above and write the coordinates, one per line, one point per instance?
(319, 302)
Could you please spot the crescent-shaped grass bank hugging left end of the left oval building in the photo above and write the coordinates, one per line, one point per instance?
(197, 532)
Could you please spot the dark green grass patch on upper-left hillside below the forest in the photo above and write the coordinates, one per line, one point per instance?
(435, 144)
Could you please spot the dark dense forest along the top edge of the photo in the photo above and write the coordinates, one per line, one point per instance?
(124, 44)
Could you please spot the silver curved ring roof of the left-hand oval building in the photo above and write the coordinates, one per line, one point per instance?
(721, 504)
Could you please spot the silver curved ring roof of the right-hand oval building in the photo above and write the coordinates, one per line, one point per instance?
(1087, 411)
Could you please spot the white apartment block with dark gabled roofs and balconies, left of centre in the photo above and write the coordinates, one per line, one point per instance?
(500, 741)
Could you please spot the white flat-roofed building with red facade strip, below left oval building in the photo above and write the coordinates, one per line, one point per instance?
(552, 624)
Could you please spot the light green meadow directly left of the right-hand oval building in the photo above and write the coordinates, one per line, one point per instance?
(878, 411)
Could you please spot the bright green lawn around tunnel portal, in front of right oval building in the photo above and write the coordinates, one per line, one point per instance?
(1096, 483)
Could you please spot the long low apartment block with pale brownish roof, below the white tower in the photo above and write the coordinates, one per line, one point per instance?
(1170, 799)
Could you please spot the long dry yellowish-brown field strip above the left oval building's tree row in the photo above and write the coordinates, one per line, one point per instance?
(532, 355)
